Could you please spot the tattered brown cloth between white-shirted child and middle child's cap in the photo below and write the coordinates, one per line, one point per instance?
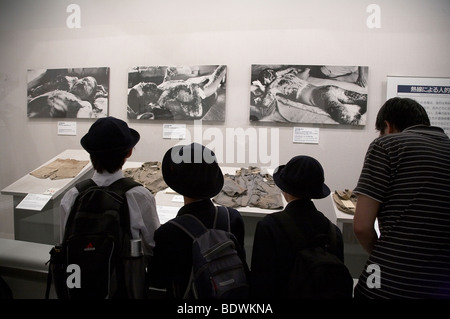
(148, 174)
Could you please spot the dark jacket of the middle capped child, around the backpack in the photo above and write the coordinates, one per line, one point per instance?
(172, 260)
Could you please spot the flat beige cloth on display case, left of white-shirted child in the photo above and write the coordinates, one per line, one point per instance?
(60, 169)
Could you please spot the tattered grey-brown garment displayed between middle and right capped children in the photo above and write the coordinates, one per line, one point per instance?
(249, 187)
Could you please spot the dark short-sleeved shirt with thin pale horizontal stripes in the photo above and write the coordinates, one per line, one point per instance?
(409, 174)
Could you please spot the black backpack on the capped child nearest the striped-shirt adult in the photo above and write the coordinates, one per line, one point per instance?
(317, 272)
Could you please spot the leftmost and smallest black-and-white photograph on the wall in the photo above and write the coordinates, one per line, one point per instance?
(68, 93)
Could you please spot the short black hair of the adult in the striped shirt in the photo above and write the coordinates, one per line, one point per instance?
(401, 113)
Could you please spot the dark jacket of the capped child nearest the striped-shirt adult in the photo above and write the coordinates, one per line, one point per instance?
(273, 254)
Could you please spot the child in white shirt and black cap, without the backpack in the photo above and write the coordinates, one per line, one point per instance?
(110, 143)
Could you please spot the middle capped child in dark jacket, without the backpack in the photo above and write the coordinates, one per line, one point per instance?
(192, 171)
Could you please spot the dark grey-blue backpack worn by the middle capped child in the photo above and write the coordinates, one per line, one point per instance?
(219, 270)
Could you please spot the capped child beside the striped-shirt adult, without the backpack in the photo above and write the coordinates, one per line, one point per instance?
(300, 180)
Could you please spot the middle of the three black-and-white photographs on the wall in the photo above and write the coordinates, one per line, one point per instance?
(177, 92)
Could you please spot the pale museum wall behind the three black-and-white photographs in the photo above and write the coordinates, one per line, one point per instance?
(407, 38)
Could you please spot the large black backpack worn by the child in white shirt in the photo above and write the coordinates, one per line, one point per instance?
(97, 239)
